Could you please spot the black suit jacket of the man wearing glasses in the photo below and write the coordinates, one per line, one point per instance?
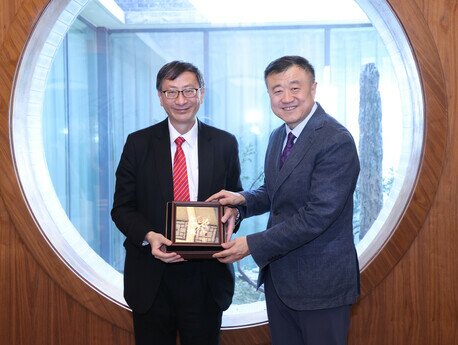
(144, 184)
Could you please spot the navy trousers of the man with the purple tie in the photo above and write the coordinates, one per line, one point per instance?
(304, 327)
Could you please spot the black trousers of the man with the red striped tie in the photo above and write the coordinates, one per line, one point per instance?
(183, 305)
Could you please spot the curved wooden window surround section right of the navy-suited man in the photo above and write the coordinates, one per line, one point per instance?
(434, 147)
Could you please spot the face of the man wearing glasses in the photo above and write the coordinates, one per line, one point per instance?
(181, 110)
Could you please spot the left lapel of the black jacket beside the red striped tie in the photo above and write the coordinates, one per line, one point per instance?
(162, 157)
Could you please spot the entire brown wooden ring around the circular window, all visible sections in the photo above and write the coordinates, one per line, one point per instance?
(408, 227)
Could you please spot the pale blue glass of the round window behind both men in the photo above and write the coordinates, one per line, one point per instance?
(102, 87)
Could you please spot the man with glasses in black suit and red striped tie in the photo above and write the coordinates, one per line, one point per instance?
(166, 293)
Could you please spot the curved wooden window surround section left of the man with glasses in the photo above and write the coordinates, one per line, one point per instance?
(18, 208)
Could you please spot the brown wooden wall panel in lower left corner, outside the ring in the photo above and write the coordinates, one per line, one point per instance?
(35, 310)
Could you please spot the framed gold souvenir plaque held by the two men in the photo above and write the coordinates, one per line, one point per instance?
(195, 229)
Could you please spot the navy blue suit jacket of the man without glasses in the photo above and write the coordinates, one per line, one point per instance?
(308, 245)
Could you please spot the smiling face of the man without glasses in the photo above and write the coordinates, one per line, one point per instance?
(292, 94)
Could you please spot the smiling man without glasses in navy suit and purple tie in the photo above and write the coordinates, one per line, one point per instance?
(307, 256)
